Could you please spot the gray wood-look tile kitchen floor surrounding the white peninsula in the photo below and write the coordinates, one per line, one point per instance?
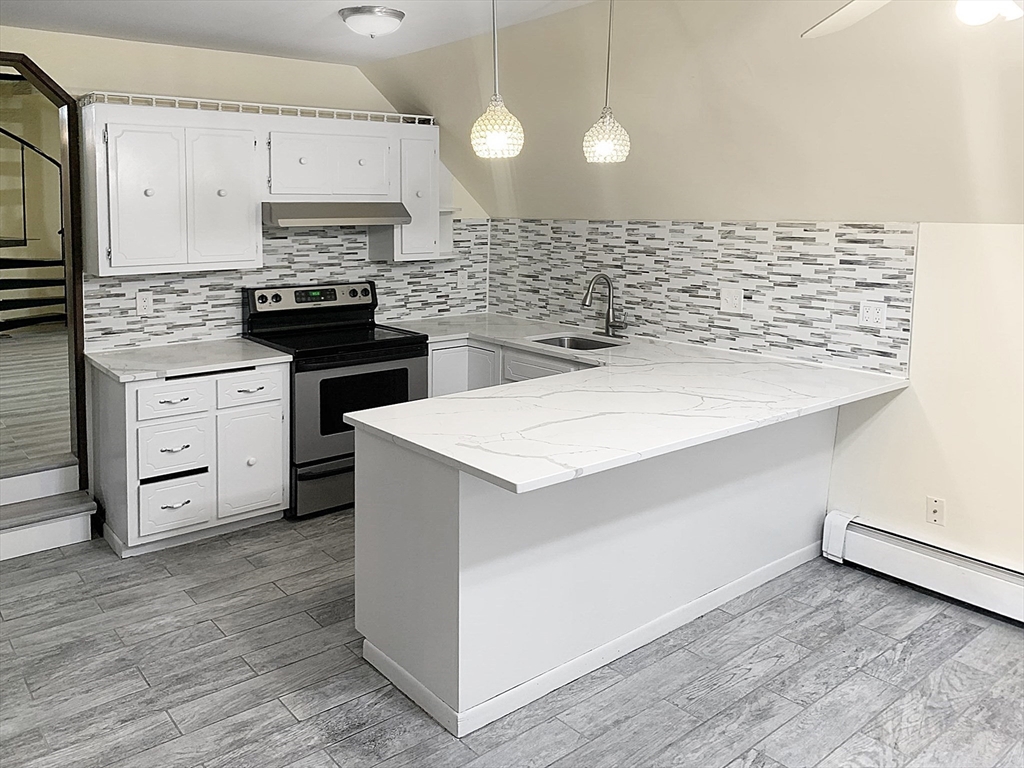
(241, 652)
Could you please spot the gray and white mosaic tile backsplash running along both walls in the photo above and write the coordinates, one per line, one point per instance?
(803, 284)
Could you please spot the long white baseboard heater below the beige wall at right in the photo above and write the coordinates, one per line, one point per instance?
(851, 539)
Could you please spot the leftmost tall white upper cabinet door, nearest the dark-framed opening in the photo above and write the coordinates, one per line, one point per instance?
(147, 186)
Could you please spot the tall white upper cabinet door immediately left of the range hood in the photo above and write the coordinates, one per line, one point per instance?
(223, 225)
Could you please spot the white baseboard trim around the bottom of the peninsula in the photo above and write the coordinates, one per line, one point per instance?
(463, 723)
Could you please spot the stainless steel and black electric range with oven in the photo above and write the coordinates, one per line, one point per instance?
(344, 362)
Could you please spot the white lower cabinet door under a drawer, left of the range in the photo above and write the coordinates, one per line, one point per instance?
(250, 459)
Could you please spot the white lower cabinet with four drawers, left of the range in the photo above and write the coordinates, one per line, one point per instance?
(185, 457)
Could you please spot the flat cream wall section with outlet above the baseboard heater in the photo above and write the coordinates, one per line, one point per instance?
(958, 433)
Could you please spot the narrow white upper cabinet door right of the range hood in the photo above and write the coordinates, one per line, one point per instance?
(419, 193)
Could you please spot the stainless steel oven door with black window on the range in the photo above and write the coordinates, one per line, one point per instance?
(323, 398)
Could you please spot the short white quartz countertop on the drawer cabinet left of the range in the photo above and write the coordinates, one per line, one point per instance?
(187, 359)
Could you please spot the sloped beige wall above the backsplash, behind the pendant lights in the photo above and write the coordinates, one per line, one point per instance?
(910, 116)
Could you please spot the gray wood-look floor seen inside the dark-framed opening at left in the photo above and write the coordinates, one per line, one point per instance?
(35, 415)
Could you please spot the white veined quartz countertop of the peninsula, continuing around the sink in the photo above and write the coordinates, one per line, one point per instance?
(646, 399)
